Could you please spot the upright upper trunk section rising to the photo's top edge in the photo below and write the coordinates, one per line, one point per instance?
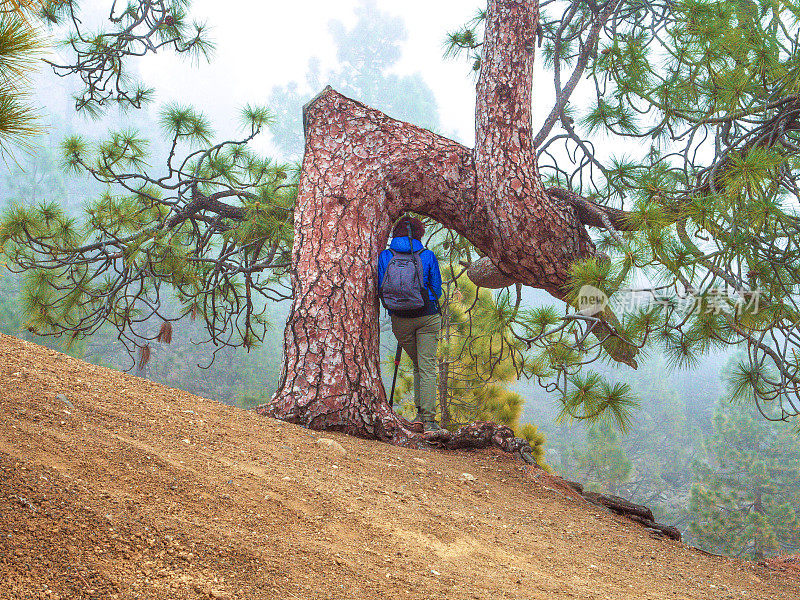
(535, 237)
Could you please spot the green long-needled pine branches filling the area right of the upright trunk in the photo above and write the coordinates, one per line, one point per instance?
(702, 95)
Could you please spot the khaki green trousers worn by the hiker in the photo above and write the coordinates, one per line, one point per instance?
(418, 336)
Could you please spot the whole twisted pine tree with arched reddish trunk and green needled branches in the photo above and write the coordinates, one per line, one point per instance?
(703, 94)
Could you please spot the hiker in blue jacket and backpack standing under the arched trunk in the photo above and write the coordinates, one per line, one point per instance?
(409, 285)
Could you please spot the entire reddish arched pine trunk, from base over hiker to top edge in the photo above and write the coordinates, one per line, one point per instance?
(360, 172)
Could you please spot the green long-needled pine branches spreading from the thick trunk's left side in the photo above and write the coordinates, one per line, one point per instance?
(127, 254)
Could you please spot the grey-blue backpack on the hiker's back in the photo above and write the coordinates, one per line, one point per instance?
(402, 290)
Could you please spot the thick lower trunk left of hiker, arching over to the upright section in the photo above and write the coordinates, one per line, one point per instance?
(361, 171)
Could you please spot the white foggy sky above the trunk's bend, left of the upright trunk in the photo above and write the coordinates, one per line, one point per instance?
(263, 44)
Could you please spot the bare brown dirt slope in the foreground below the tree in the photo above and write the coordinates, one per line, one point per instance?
(132, 490)
